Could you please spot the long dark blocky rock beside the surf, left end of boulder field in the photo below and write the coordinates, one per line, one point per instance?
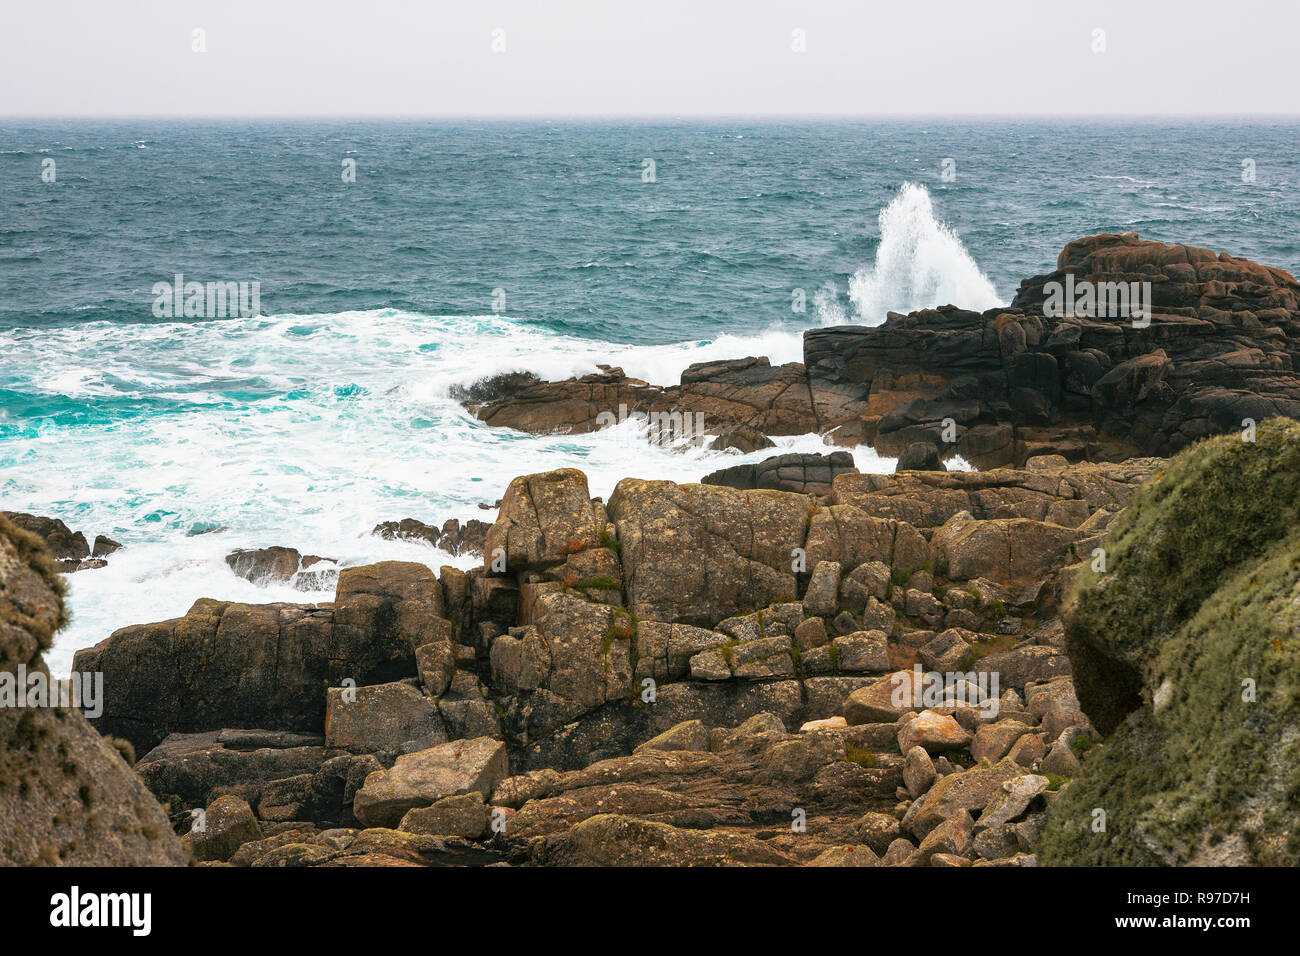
(262, 667)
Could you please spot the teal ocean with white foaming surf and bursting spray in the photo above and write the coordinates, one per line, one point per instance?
(461, 250)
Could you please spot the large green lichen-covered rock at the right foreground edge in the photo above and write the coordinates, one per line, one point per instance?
(1186, 651)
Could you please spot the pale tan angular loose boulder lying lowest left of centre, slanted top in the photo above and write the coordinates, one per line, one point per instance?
(426, 777)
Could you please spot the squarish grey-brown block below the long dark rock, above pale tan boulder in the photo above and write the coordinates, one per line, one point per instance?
(382, 717)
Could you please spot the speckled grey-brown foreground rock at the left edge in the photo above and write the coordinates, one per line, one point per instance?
(67, 794)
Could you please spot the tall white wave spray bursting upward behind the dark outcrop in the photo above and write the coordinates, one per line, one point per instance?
(920, 263)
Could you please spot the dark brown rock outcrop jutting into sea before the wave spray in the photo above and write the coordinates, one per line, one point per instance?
(1223, 345)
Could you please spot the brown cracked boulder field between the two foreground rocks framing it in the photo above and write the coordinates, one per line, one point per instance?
(686, 674)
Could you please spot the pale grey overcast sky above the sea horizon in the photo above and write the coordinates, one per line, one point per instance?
(662, 58)
